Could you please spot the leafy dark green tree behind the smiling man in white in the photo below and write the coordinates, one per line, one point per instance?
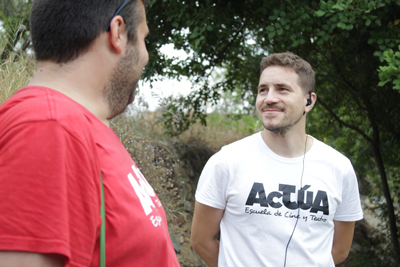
(345, 41)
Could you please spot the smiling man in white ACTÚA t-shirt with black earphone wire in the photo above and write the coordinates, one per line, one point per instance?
(279, 197)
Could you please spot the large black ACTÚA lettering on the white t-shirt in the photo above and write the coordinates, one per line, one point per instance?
(276, 199)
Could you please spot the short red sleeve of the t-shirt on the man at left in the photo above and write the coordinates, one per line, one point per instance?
(49, 192)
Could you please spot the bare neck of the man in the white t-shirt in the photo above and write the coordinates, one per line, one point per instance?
(290, 145)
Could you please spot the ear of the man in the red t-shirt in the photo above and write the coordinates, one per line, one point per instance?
(117, 35)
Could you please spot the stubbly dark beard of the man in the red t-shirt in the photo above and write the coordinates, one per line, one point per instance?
(121, 88)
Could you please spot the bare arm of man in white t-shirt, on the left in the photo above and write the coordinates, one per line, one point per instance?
(205, 228)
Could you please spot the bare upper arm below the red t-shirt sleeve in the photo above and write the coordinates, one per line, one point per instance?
(22, 259)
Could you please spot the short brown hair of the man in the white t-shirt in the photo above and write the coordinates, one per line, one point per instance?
(299, 65)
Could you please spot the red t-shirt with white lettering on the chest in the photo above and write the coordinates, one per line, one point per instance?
(51, 153)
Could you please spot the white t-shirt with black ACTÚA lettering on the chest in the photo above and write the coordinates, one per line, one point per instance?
(259, 191)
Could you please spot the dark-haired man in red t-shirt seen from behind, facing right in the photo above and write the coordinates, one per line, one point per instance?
(56, 144)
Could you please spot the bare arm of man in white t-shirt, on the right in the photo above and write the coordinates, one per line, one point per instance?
(342, 239)
